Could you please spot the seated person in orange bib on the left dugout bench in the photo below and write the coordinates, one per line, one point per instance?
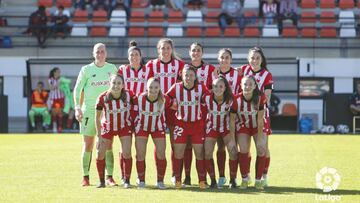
(39, 107)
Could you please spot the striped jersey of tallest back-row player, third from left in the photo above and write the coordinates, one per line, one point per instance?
(168, 73)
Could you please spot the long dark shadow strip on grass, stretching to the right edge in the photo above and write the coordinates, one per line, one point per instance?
(268, 190)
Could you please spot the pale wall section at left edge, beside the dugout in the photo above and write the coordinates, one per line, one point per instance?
(13, 69)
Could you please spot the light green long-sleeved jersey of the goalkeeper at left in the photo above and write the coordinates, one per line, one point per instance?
(93, 80)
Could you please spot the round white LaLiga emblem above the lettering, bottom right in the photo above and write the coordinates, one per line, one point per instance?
(327, 179)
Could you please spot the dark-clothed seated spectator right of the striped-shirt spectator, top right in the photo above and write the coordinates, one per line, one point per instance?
(288, 10)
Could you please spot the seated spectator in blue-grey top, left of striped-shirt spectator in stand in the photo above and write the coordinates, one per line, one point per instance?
(231, 10)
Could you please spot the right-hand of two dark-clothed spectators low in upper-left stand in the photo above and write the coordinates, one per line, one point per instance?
(60, 20)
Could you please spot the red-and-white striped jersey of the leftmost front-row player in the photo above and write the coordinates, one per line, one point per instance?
(116, 113)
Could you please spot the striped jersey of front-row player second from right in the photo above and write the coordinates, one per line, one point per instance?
(218, 115)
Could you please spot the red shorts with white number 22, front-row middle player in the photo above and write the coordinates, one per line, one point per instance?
(184, 130)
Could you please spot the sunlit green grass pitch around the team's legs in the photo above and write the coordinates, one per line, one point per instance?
(46, 168)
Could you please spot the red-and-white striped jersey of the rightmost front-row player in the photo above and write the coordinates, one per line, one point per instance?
(246, 111)
